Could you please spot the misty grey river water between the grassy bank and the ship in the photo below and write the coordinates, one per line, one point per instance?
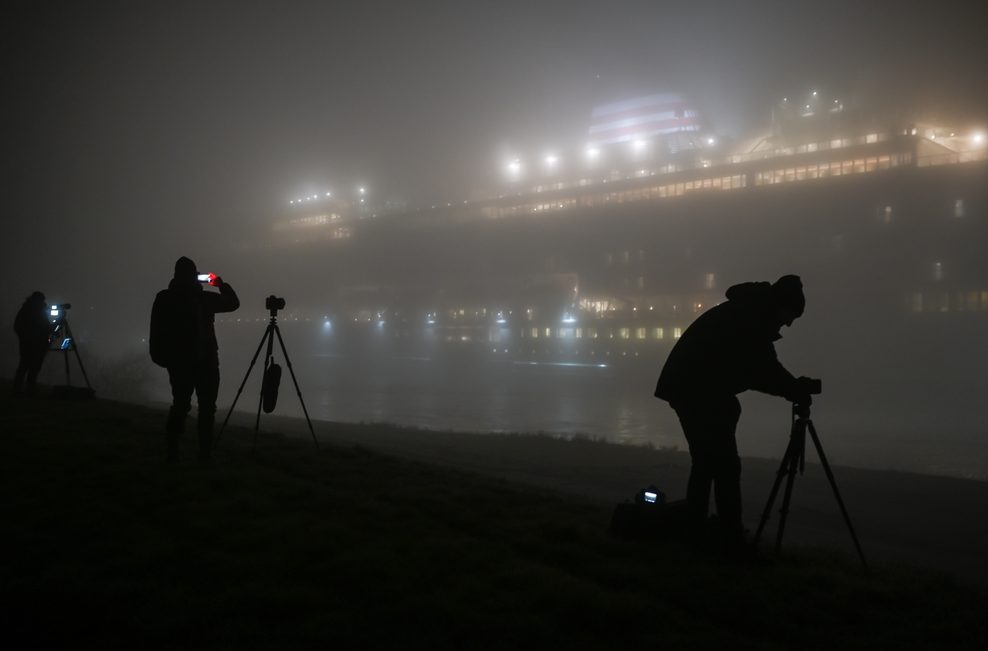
(488, 391)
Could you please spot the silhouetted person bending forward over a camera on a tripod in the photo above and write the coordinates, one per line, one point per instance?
(729, 349)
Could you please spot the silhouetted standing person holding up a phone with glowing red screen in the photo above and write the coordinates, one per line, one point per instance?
(183, 340)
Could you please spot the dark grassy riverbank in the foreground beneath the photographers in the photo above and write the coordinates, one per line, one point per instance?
(106, 545)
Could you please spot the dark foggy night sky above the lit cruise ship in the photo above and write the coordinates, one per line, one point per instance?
(135, 132)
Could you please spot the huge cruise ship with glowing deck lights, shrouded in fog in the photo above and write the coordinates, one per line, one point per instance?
(610, 251)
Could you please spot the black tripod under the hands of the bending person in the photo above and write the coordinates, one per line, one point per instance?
(794, 461)
